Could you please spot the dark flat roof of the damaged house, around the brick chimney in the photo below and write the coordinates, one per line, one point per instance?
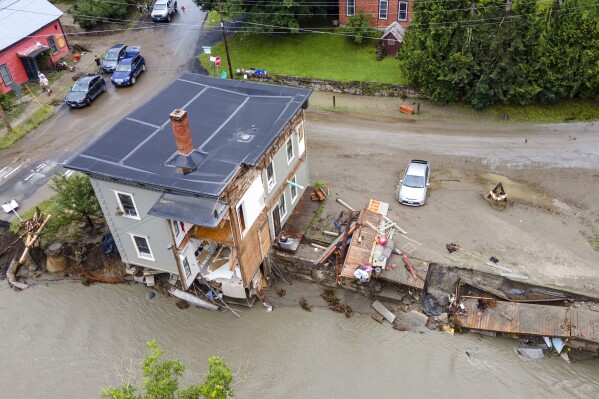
(232, 123)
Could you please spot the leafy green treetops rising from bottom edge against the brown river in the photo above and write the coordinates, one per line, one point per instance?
(161, 380)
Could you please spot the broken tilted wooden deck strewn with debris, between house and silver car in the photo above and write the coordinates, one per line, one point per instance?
(360, 253)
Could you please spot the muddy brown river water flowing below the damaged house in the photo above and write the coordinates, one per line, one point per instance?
(66, 340)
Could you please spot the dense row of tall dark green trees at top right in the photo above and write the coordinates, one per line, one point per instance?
(489, 51)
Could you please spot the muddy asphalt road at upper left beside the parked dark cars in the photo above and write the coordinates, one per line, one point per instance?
(169, 49)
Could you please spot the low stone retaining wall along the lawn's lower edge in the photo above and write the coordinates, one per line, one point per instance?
(335, 86)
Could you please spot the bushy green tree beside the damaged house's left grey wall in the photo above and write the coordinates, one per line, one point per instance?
(75, 199)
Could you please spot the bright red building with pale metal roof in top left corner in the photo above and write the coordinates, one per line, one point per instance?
(31, 39)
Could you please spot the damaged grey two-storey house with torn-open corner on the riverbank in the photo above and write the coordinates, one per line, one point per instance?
(199, 181)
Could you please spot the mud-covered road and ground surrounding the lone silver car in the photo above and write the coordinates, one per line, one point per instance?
(552, 178)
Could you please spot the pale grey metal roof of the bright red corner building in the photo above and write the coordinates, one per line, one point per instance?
(21, 18)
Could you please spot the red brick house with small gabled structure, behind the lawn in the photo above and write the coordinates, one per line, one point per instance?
(390, 16)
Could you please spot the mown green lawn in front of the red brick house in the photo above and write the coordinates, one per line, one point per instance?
(307, 55)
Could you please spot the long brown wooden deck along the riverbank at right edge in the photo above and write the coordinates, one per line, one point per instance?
(528, 319)
